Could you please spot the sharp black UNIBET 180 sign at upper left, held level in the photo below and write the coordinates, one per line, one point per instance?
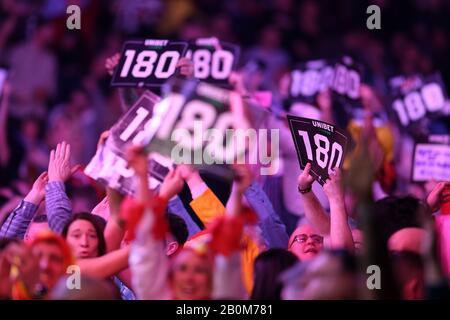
(148, 62)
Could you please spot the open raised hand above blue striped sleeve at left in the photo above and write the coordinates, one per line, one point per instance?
(59, 165)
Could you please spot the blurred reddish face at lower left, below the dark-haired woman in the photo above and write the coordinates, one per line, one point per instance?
(51, 262)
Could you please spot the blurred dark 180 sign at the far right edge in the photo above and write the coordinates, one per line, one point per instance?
(416, 98)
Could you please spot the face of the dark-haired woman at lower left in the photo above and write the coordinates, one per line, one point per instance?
(83, 239)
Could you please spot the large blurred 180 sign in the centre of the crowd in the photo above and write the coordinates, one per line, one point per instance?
(195, 125)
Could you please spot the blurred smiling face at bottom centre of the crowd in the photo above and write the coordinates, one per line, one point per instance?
(191, 278)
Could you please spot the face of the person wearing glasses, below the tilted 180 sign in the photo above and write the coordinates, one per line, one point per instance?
(305, 243)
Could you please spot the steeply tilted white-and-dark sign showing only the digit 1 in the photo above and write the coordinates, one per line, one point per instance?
(109, 165)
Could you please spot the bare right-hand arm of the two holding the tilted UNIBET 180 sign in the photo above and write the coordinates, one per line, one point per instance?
(340, 232)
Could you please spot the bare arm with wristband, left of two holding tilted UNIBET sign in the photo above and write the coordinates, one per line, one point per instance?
(314, 211)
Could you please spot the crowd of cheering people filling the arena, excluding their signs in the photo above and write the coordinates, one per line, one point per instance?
(281, 236)
